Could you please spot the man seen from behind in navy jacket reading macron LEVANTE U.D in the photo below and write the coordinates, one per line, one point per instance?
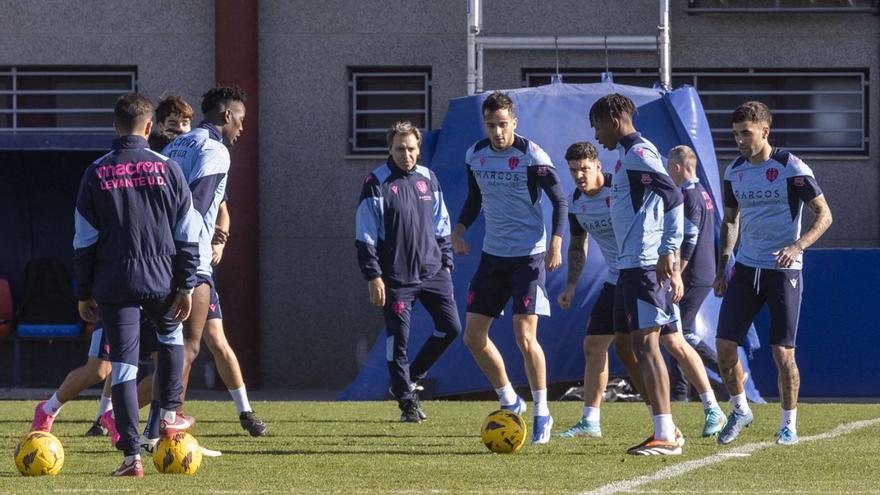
(136, 246)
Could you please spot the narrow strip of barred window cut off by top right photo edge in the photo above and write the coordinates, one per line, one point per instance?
(781, 6)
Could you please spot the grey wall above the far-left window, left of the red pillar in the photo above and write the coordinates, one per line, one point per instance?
(171, 43)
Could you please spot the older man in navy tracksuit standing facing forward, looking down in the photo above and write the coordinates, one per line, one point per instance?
(402, 240)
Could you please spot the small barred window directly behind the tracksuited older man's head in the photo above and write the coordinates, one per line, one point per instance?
(380, 97)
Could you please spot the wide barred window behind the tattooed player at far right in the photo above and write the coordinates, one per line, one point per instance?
(815, 112)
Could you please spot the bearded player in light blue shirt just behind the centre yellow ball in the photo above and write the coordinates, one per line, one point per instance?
(506, 176)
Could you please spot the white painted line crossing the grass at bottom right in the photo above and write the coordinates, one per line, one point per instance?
(688, 466)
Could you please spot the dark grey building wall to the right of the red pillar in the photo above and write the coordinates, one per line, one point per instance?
(316, 322)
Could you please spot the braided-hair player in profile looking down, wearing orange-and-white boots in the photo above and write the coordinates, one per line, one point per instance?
(646, 212)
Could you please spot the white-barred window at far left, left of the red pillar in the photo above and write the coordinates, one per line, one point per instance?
(61, 100)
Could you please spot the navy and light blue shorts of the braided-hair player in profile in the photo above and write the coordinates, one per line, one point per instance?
(640, 302)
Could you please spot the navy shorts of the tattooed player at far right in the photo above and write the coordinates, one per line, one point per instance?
(747, 292)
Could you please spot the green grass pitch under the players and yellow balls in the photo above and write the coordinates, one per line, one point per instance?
(344, 448)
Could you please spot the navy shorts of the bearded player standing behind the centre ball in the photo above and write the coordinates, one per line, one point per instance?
(499, 278)
